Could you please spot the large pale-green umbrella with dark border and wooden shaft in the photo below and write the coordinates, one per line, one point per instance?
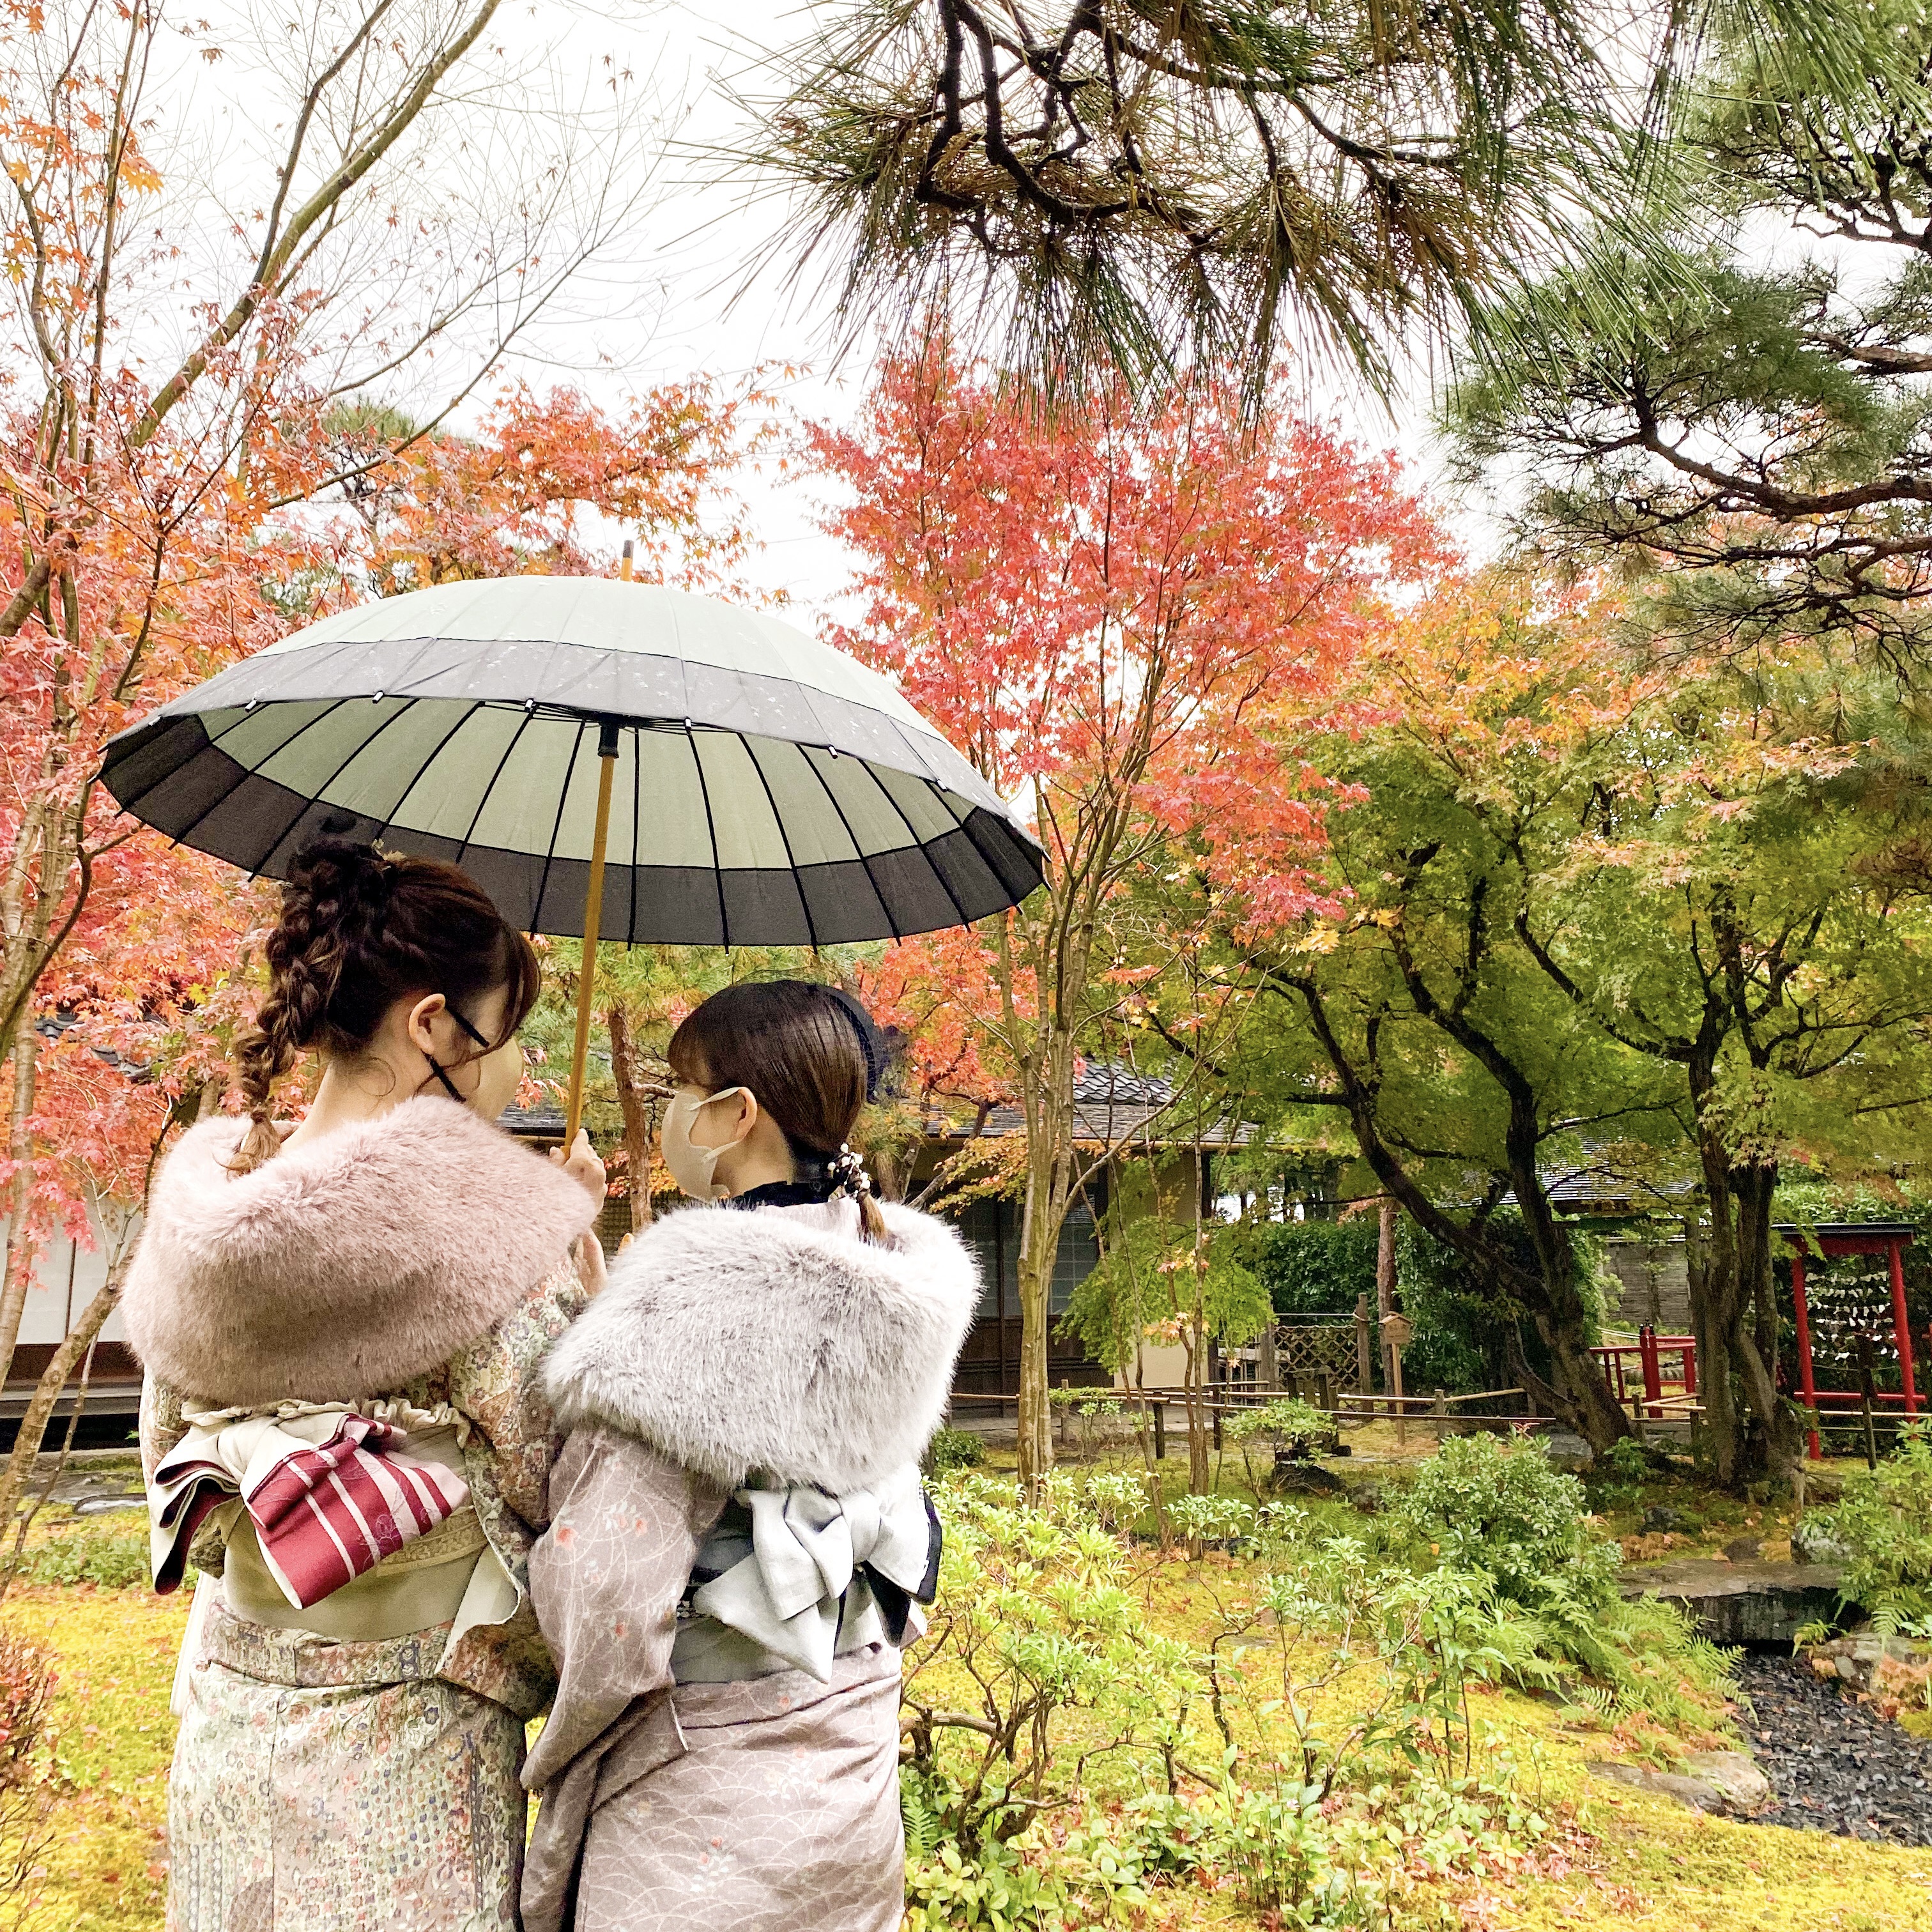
(608, 760)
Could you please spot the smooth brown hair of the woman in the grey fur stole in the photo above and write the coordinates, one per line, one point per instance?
(801, 1050)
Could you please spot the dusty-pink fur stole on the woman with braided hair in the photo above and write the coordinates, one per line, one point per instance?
(343, 1268)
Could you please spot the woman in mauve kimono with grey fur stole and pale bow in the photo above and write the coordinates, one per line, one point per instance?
(739, 1539)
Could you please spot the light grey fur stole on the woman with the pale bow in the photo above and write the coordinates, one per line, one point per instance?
(774, 1342)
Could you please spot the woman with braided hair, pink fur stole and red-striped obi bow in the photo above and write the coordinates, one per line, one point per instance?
(341, 1328)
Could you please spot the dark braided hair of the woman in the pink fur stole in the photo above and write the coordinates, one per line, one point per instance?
(358, 932)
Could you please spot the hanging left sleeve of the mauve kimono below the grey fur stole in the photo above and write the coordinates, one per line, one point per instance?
(608, 1579)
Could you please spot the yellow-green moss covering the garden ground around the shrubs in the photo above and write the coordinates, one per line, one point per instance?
(1624, 1860)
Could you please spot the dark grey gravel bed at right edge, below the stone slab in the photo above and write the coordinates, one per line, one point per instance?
(1834, 1765)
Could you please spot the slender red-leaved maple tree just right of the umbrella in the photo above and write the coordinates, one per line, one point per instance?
(1129, 617)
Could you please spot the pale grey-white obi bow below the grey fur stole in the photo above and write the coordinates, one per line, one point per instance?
(799, 1593)
